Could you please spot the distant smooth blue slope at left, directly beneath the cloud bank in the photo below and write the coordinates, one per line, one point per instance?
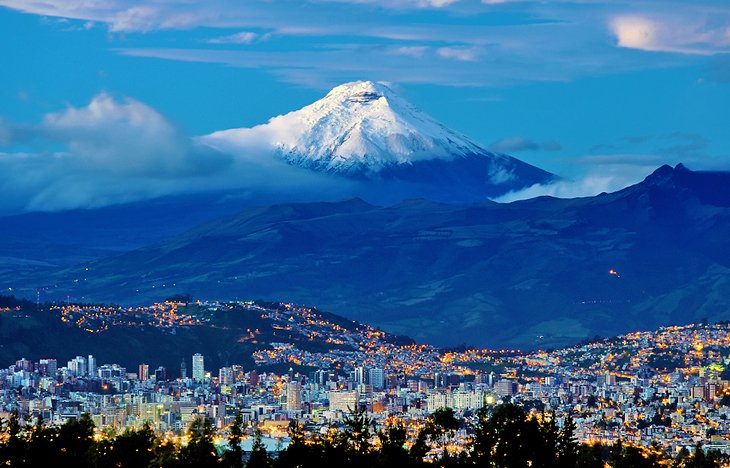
(52, 240)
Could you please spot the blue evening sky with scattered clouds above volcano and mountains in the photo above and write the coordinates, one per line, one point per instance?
(598, 91)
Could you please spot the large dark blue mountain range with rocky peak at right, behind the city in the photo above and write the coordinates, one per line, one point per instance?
(539, 272)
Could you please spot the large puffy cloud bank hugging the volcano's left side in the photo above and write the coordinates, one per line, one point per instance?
(115, 151)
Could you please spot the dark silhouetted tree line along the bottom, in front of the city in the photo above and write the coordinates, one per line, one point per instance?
(501, 437)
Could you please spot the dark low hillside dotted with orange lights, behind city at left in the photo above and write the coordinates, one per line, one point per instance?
(169, 332)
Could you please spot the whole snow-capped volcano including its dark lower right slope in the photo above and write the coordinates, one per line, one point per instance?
(364, 130)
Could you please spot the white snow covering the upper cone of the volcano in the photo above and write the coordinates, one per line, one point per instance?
(358, 126)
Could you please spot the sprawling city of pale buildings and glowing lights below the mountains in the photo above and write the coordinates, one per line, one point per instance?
(667, 387)
